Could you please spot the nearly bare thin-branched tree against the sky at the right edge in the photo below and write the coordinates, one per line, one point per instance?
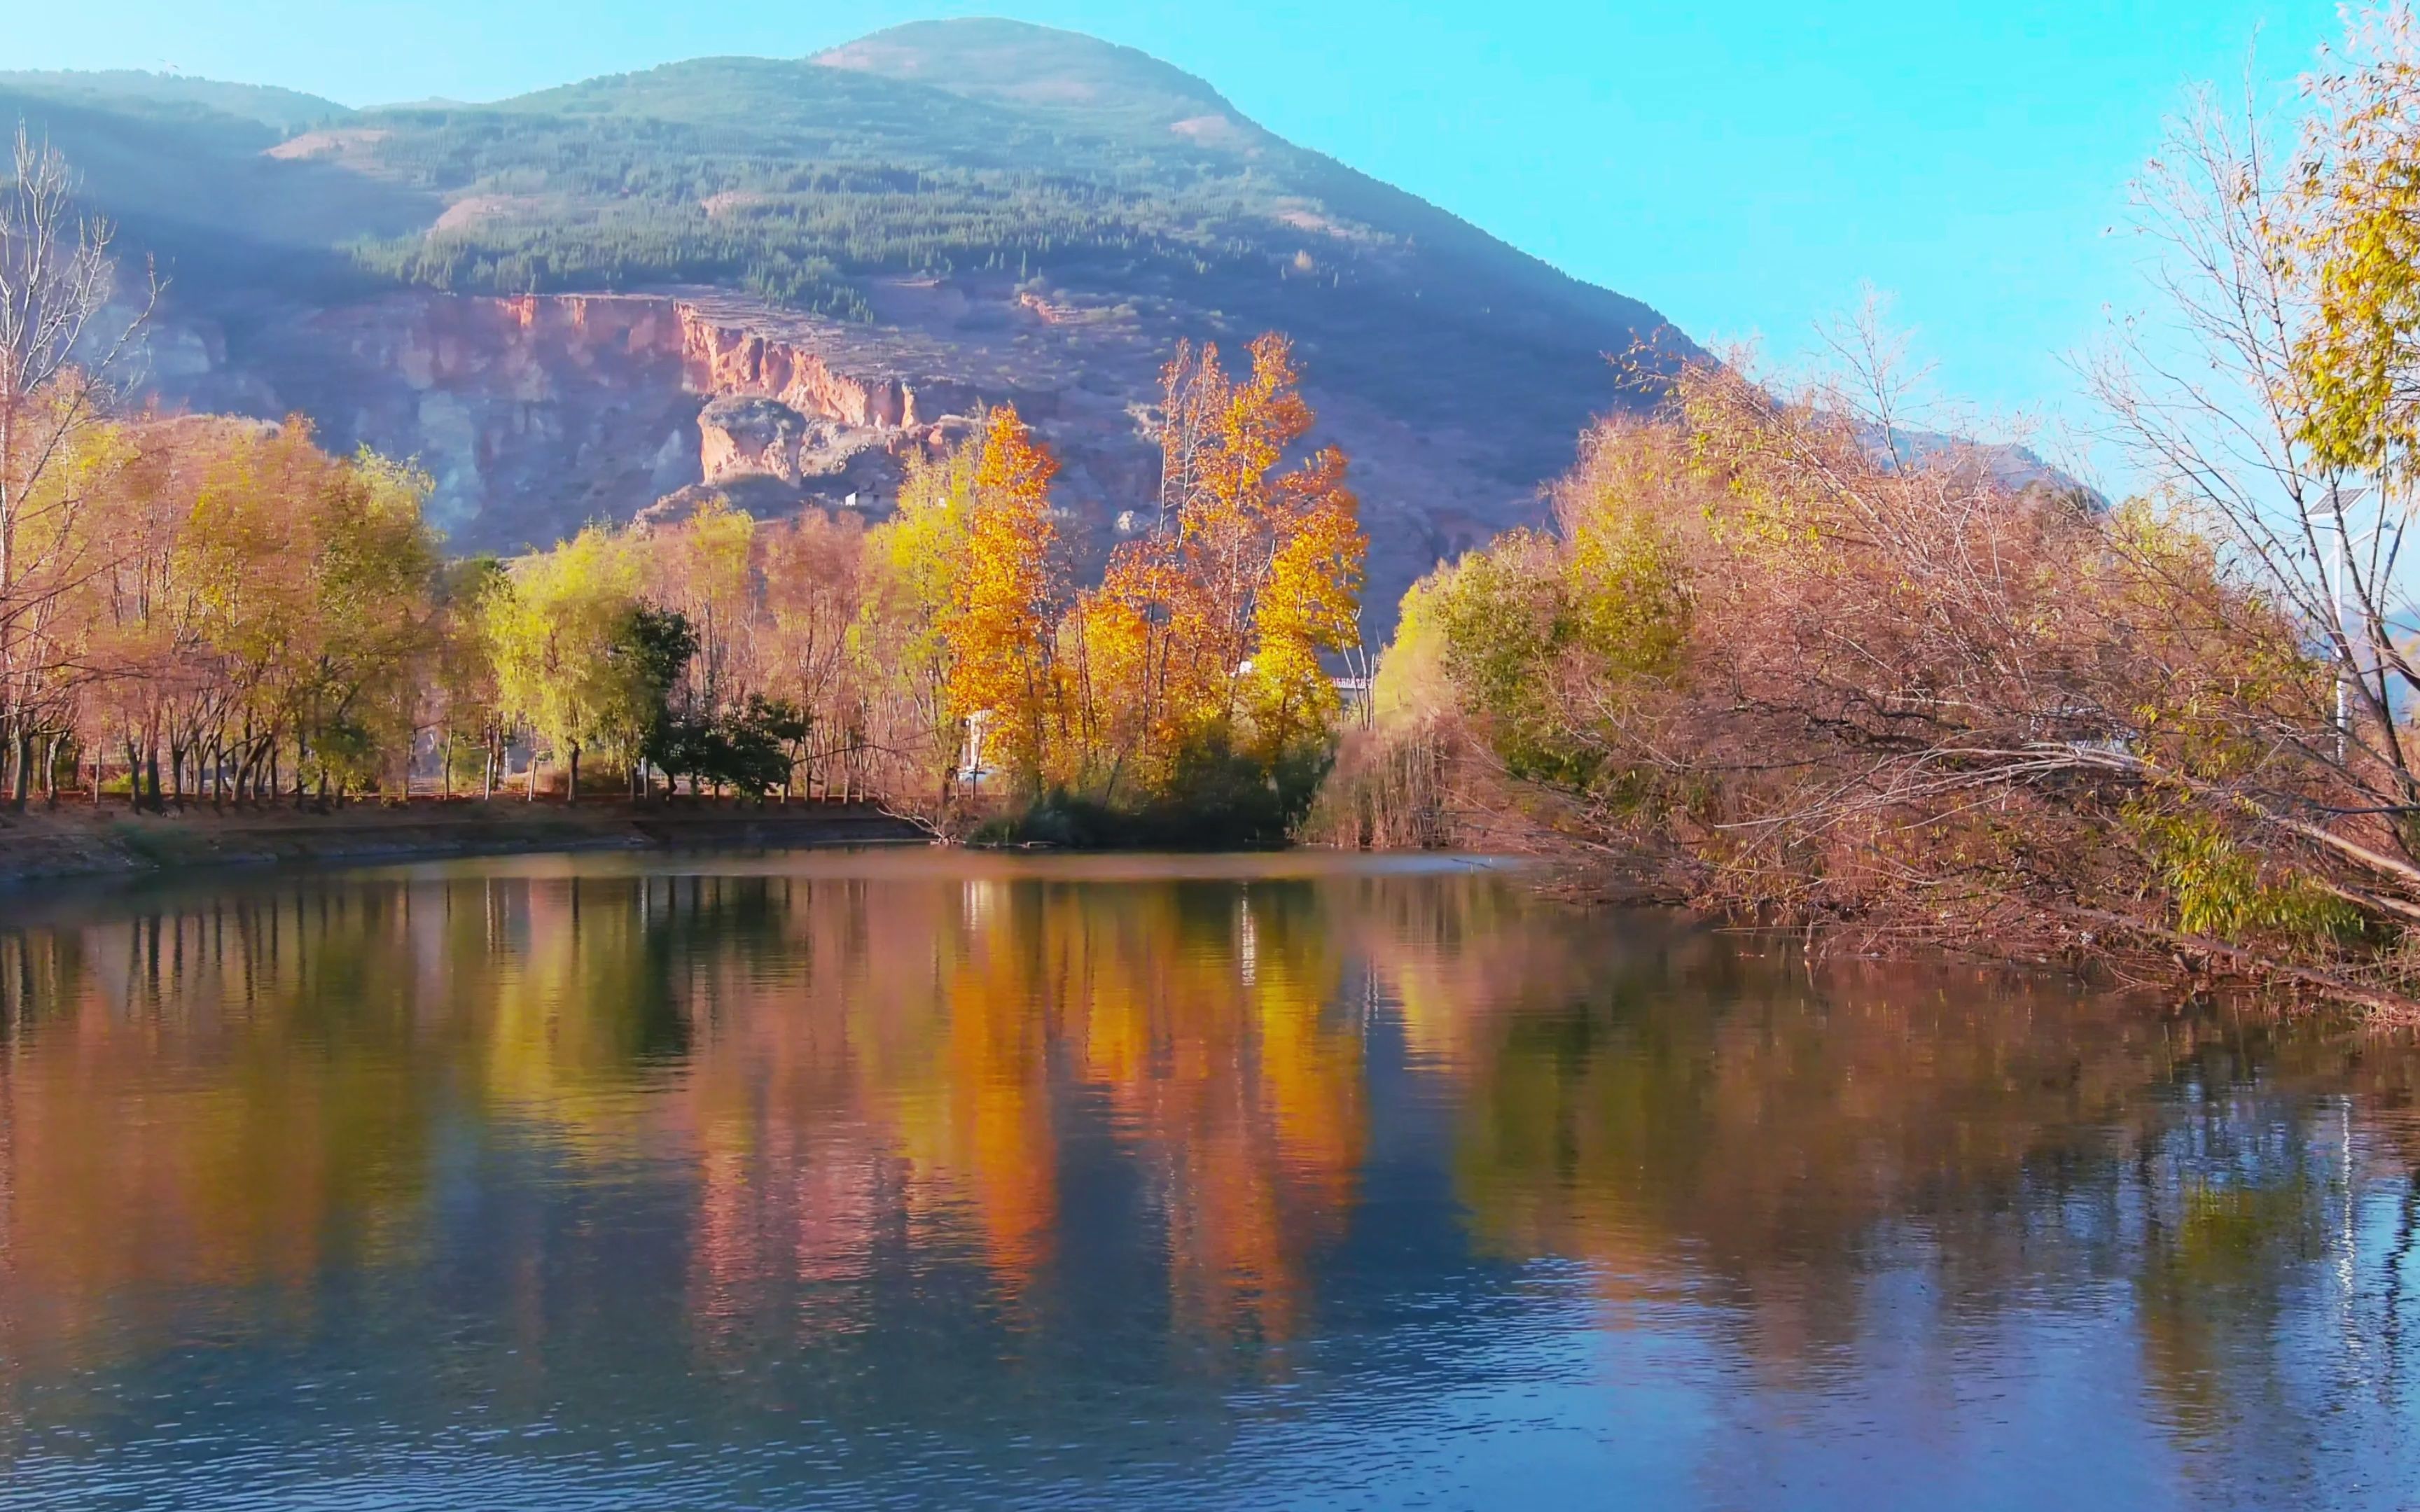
(2225, 408)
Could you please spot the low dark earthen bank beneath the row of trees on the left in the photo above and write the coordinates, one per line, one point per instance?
(98, 843)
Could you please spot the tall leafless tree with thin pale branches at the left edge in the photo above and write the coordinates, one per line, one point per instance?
(57, 279)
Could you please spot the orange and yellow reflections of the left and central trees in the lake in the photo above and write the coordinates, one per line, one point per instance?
(829, 1063)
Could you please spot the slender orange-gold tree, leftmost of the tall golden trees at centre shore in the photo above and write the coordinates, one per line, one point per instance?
(1006, 601)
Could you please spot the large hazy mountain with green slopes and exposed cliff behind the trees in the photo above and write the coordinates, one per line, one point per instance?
(546, 299)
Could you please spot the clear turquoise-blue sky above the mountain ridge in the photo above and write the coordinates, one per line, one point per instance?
(1744, 168)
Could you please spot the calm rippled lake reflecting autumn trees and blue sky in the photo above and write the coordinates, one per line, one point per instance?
(1286, 1182)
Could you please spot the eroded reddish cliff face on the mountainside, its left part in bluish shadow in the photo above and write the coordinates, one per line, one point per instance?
(543, 412)
